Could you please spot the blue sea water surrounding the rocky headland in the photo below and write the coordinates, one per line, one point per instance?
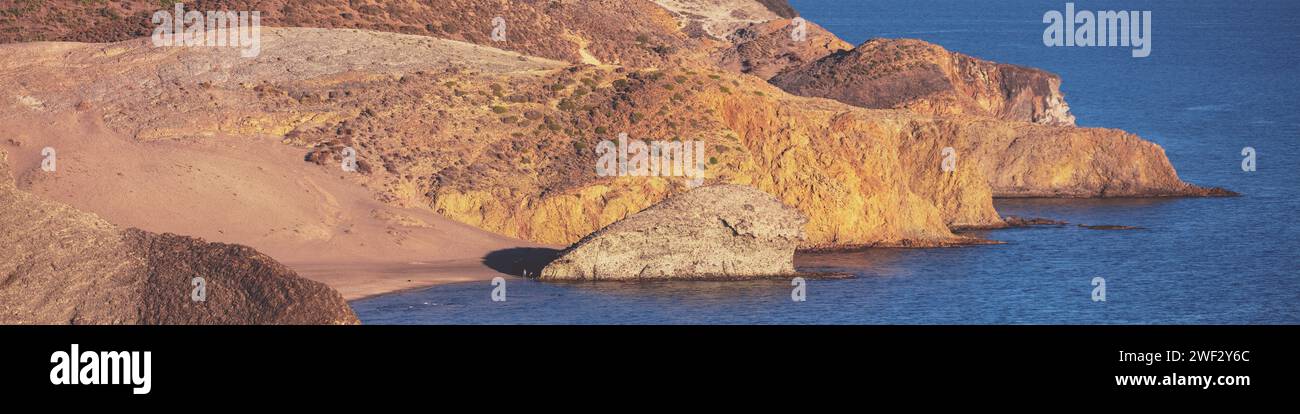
(1221, 76)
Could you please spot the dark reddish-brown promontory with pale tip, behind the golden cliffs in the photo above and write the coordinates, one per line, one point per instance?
(926, 79)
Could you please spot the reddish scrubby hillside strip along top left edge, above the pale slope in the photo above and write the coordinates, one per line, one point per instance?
(597, 32)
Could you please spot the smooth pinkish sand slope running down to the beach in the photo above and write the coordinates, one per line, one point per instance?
(252, 192)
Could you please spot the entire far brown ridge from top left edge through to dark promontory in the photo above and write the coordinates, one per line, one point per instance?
(740, 36)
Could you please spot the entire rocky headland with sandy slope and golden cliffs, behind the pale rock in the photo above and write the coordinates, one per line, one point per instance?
(466, 145)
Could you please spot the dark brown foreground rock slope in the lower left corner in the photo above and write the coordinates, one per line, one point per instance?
(62, 266)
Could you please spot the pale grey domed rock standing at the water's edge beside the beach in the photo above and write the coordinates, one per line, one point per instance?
(713, 232)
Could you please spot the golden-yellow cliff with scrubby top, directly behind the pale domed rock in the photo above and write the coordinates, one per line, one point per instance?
(861, 178)
